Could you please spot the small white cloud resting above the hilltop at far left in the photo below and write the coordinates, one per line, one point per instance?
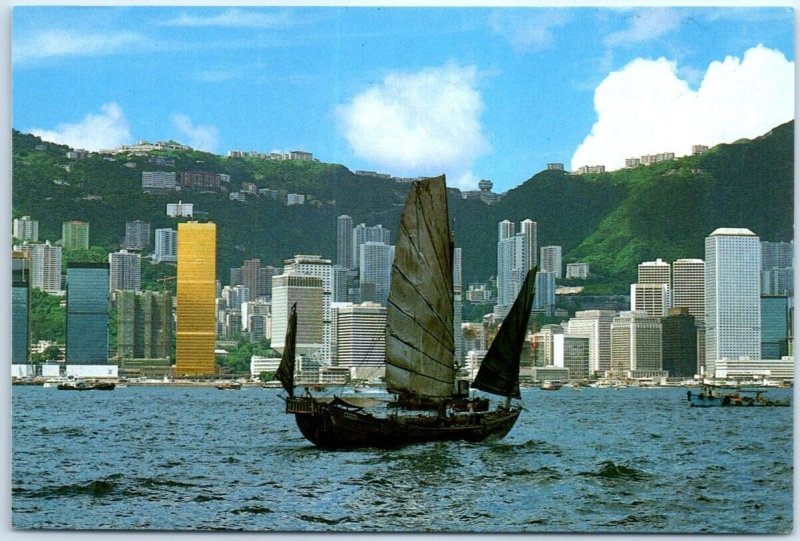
(108, 129)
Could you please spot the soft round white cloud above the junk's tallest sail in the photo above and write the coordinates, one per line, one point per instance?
(422, 123)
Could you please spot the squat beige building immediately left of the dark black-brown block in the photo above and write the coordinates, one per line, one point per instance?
(636, 347)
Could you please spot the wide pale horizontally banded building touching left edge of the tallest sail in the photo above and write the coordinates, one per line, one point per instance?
(361, 335)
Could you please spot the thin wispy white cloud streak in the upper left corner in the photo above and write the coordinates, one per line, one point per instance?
(61, 43)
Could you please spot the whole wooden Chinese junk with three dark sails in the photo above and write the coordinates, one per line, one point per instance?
(420, 364)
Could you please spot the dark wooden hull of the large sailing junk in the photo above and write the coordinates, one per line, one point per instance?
(334, 426)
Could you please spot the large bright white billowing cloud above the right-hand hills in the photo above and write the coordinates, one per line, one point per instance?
(646, 108)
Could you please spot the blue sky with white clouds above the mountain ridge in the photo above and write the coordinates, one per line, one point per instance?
(493, 93)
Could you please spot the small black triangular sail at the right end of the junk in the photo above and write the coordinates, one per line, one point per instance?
(499, 371)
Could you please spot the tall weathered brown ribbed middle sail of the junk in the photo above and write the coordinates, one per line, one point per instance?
(420, 344)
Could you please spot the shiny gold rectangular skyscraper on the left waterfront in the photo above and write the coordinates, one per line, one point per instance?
(196, 320)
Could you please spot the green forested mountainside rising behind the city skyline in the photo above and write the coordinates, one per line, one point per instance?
(613, 220)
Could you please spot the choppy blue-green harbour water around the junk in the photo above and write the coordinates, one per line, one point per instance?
(594, 460)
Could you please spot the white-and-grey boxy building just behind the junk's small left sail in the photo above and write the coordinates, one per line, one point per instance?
(307, 292)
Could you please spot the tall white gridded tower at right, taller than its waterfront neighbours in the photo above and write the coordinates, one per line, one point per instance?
(733, 294)
